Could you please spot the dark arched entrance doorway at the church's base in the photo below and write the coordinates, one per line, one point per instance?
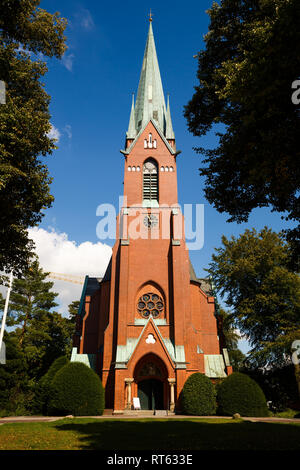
(151, 394)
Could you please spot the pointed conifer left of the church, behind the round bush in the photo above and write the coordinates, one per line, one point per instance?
(36, 337)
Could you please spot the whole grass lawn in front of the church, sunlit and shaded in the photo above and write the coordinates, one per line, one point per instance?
(149, 434)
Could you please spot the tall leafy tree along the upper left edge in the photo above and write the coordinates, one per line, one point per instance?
(25, 31)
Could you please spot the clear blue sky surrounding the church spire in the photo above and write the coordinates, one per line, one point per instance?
(91, 98)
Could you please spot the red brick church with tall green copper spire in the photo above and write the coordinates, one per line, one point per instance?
(149, 323)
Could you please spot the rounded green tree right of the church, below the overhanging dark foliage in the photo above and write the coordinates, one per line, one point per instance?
(251, 274)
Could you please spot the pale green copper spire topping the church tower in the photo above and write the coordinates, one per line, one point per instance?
(150, 102)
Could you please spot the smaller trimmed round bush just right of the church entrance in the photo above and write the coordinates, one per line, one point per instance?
(198, 396)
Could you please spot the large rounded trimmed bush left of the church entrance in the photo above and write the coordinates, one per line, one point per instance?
(76, 390)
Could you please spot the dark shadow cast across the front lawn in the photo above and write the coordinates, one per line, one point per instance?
(182, 435)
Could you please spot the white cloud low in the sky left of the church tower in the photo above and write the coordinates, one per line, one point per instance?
(60, 255)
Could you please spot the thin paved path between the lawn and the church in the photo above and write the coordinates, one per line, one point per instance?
(47, 419)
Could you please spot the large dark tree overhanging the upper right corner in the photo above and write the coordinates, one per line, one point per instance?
(246, 71)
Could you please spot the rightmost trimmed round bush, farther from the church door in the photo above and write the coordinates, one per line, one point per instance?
(238, 393)
